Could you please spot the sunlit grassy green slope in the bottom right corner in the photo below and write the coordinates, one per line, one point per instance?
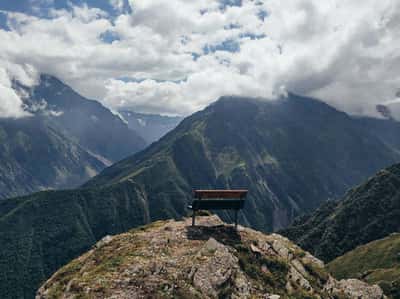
(377, 262)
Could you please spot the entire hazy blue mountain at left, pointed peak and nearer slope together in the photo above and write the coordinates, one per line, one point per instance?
(67, 140)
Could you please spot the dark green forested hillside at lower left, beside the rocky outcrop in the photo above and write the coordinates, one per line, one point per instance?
(40, 233)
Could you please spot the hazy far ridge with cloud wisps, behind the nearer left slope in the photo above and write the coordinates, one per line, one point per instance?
(94, 126)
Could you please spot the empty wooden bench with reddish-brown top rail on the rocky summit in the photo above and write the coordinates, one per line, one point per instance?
(218, 200)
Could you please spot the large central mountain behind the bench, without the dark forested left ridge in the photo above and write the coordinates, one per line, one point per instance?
(291, 154)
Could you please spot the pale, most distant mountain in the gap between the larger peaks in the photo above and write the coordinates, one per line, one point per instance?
(150, 127)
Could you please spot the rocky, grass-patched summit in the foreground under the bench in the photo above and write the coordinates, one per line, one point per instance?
(172, 259)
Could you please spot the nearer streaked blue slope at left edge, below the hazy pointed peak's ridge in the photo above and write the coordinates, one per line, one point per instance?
(35, 156)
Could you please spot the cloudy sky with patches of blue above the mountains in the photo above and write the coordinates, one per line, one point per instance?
(177, 56)
